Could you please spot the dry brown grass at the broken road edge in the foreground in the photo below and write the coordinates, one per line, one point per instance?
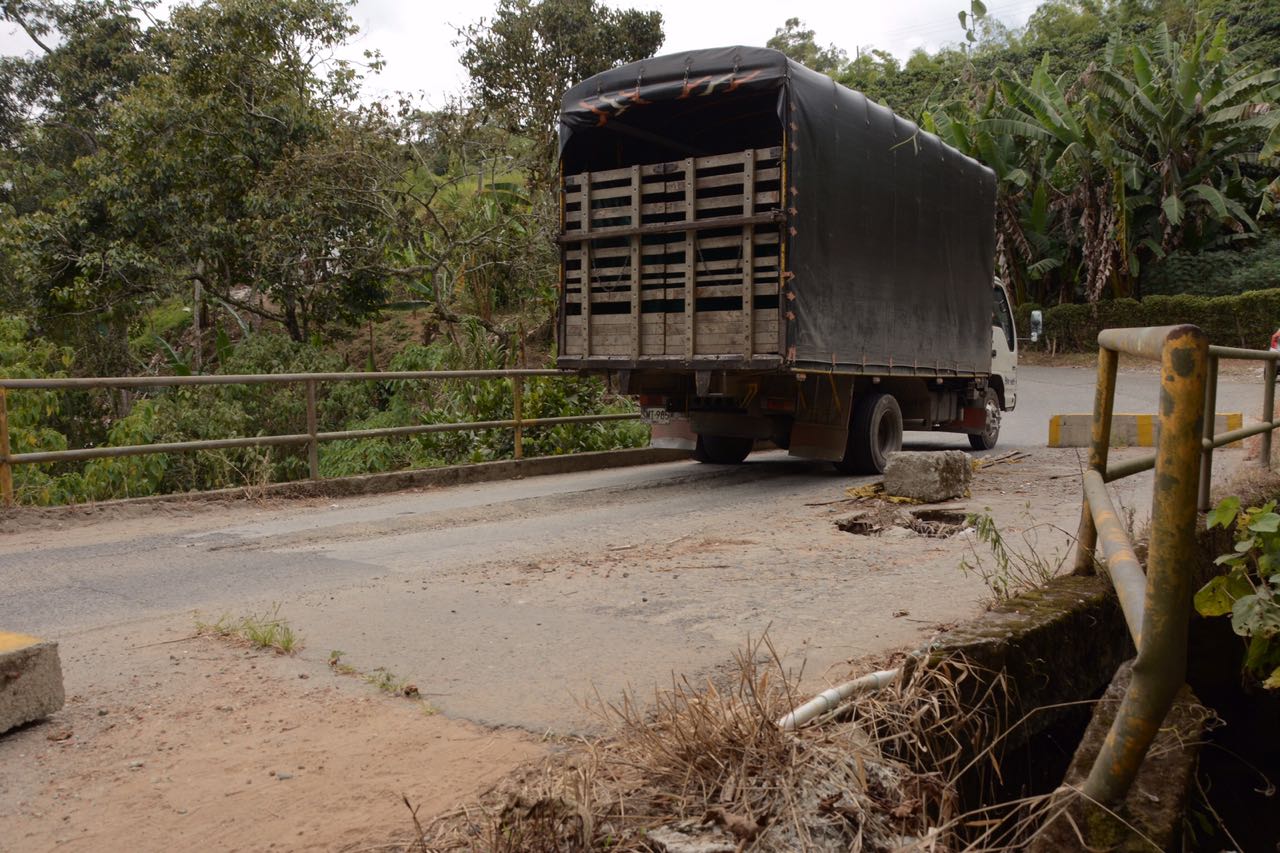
(706, 769)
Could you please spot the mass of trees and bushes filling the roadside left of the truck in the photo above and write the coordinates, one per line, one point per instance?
(211, 193)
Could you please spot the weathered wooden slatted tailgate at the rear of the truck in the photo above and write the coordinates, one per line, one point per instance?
(638, 305)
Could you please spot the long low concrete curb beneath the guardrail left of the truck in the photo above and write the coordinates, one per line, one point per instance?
(397, 481)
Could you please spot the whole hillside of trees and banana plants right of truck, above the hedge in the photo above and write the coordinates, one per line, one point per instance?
(1121, 133)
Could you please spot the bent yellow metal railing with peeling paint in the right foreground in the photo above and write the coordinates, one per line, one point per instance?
(1158, 604)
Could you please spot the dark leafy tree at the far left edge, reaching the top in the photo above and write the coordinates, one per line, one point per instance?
(56, 108)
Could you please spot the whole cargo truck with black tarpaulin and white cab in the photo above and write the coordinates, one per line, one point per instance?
(760, 254)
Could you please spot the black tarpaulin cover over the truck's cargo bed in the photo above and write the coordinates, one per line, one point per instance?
(890, 232)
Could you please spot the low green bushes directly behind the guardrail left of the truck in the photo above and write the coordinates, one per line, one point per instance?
(222, 412)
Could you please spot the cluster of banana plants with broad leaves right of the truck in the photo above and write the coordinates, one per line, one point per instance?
(1159, 147)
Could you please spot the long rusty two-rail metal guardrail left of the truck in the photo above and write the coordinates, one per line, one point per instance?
(312, 439)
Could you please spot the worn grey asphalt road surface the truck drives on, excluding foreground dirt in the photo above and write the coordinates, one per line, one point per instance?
(508, 603)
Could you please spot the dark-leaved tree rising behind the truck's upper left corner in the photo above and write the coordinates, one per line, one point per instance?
(524, 60)
